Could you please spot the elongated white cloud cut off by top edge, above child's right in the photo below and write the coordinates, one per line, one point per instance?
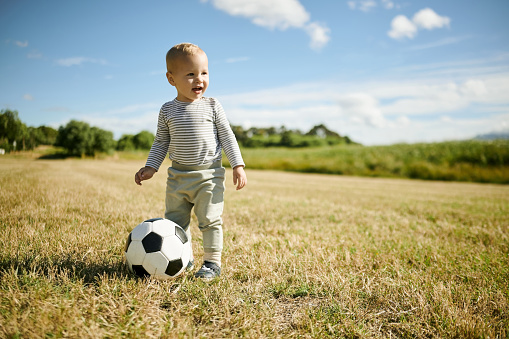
(276, 14)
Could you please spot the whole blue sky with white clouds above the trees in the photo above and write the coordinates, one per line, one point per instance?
(379, 71)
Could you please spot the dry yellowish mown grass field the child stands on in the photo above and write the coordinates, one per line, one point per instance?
(308, 256)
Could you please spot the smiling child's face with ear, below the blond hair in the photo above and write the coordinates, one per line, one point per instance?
(190, 76)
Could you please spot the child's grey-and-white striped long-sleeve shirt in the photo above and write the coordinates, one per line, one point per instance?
(193, 133)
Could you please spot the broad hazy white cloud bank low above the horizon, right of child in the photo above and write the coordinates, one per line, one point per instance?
(420, 103)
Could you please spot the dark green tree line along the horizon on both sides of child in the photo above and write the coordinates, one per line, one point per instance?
(78, 138)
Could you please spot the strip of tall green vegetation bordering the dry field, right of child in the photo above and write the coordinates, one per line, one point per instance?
(468, 161)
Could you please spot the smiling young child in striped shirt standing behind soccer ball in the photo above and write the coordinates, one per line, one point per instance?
(193, 129)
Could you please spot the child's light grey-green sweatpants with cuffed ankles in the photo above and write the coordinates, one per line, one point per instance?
(201, 187)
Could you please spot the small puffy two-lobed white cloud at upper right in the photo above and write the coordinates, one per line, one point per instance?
(402, 27)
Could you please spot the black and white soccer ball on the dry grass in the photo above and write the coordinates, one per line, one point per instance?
(159, 248)
